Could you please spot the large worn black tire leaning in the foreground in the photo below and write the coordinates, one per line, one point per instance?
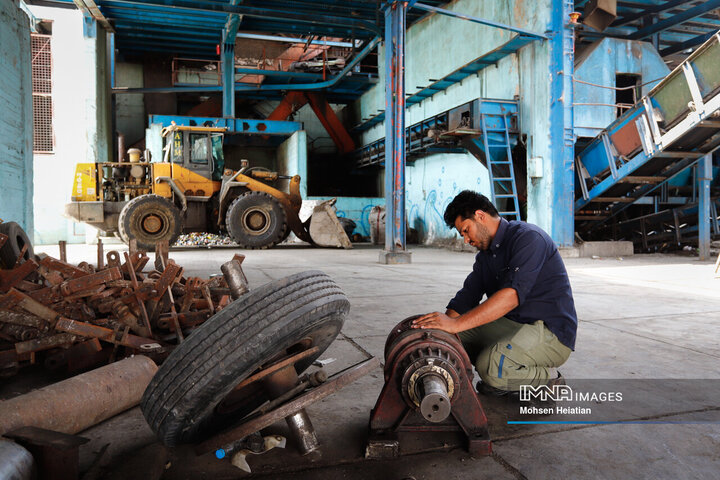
(182, 402)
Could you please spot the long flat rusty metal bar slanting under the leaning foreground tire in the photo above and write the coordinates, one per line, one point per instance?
(334, 383)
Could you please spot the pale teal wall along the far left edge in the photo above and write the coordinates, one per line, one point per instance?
(16, 188)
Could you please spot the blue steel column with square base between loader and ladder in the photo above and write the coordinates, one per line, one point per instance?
(395, 246)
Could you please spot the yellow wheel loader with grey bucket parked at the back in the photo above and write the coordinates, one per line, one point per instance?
(191, 191)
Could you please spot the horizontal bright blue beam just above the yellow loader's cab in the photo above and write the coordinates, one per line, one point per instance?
(234, 125)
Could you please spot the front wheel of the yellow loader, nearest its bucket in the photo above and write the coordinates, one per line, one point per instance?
(256, 220)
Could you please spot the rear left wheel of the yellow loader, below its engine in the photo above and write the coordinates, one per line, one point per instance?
(167, 223)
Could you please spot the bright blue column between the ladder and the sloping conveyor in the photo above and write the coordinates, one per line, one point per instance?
(562, 141)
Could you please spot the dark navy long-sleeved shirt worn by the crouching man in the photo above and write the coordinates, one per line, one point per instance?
(523, 257)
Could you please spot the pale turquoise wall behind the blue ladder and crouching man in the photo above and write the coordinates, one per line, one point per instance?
(435, 47)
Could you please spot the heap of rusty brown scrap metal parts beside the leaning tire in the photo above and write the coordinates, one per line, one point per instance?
(82, 316)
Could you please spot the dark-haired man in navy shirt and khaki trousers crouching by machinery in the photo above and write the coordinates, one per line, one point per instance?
(526, 328)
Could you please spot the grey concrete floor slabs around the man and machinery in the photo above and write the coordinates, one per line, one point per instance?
(645, 320)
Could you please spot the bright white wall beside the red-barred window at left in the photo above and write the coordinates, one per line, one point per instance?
(80, 121)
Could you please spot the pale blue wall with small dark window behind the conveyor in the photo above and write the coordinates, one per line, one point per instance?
(599, 65)
